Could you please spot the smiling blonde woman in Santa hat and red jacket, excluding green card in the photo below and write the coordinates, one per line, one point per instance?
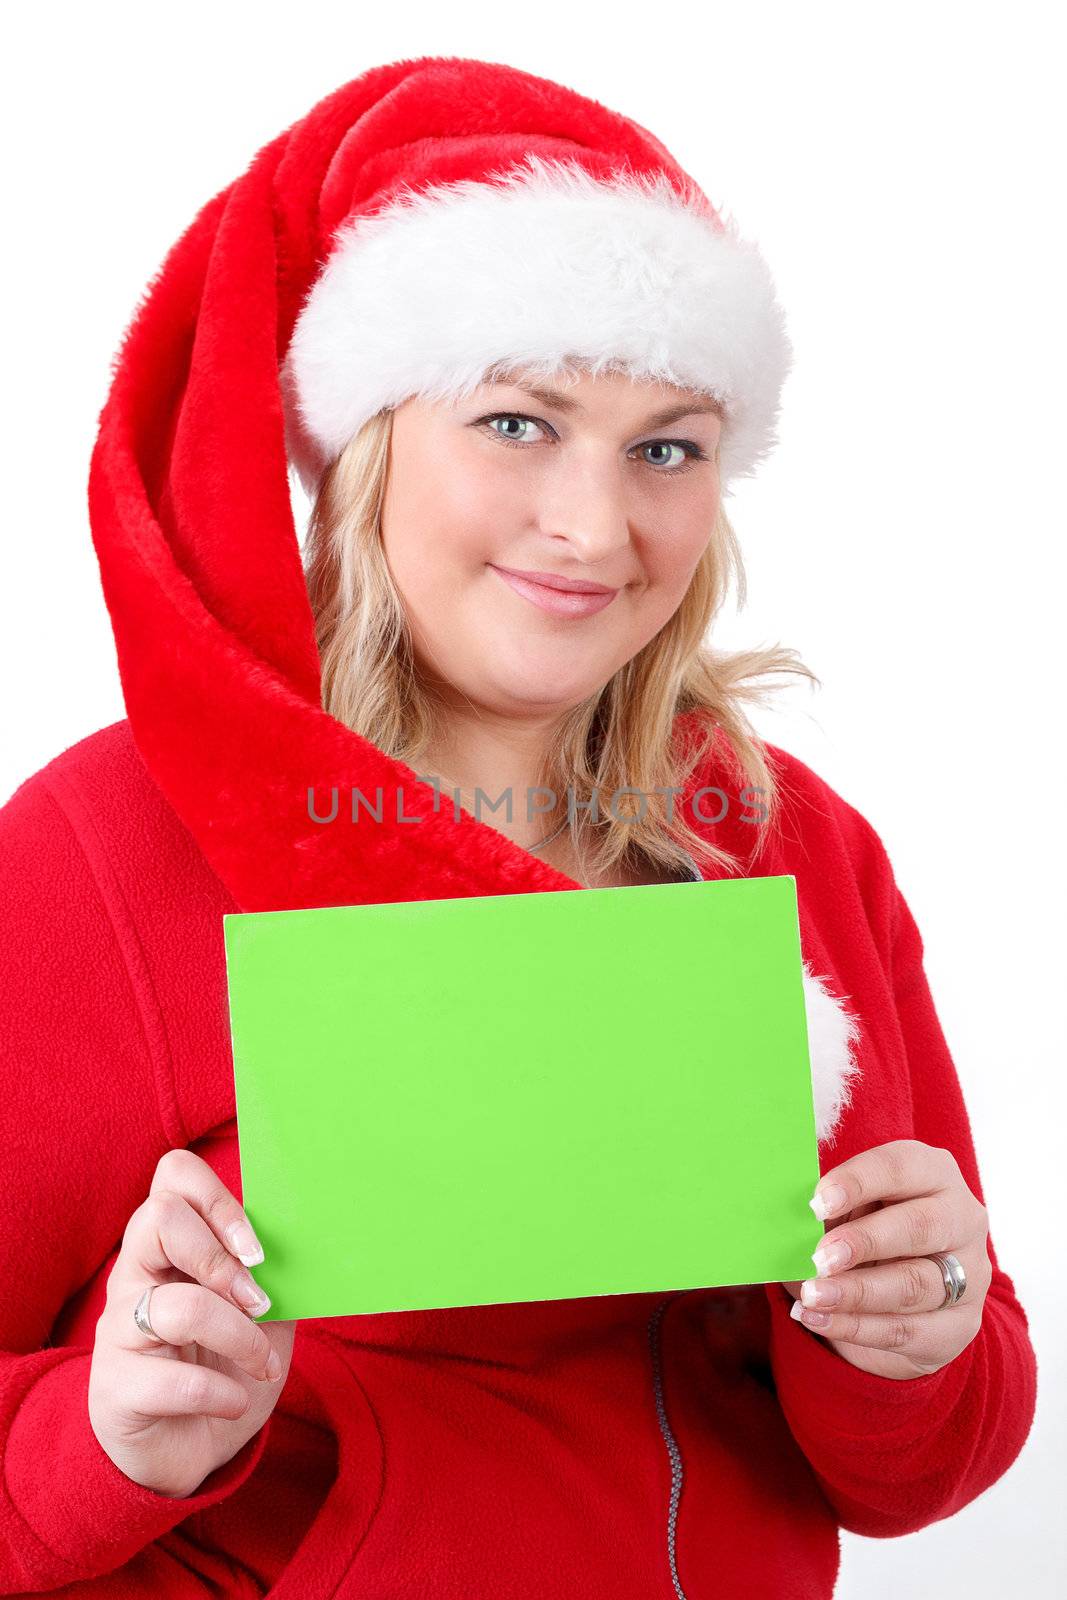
(498, 334)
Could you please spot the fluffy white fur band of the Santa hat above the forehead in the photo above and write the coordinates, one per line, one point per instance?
(545, 266)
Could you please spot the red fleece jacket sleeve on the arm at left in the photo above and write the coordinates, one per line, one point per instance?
(78, 1094)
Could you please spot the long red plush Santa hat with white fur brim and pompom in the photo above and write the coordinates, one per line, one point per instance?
(428, 218)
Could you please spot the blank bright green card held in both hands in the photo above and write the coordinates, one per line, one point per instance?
(524, 1097)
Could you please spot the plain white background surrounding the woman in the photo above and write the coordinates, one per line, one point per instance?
(901, 167)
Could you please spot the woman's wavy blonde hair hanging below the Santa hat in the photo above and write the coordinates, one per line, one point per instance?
(620, 738)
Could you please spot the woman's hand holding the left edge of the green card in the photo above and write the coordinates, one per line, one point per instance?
(172, 1414)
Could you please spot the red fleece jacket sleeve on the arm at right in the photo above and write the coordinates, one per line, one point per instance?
(897, 1455)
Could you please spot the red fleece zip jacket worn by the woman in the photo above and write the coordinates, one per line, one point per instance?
(494, 1450)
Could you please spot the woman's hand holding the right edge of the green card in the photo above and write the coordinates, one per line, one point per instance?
(884, 1302)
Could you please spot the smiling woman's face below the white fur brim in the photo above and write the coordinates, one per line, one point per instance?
(588, 484)
